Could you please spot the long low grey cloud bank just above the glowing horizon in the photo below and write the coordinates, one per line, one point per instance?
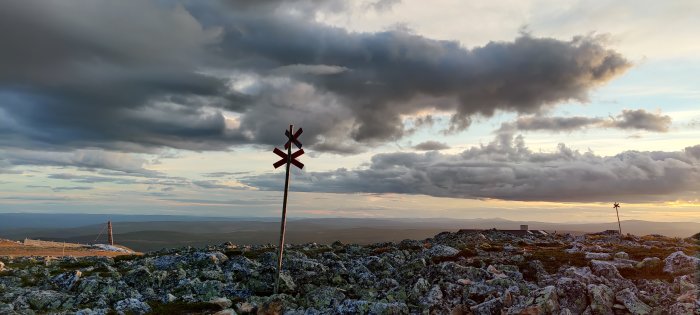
(506, 169)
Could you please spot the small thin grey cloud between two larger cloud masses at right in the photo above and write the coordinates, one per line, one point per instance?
(629, 119)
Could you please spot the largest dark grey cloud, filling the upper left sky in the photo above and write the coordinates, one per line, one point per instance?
(136, 75)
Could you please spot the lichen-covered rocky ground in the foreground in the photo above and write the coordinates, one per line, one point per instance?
(486, 272)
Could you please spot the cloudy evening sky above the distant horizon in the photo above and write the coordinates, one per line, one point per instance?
(523, 110)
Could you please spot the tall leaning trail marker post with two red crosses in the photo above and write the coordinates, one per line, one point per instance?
(288, 158)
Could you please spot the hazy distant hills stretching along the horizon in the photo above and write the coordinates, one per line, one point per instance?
(154, 232)
